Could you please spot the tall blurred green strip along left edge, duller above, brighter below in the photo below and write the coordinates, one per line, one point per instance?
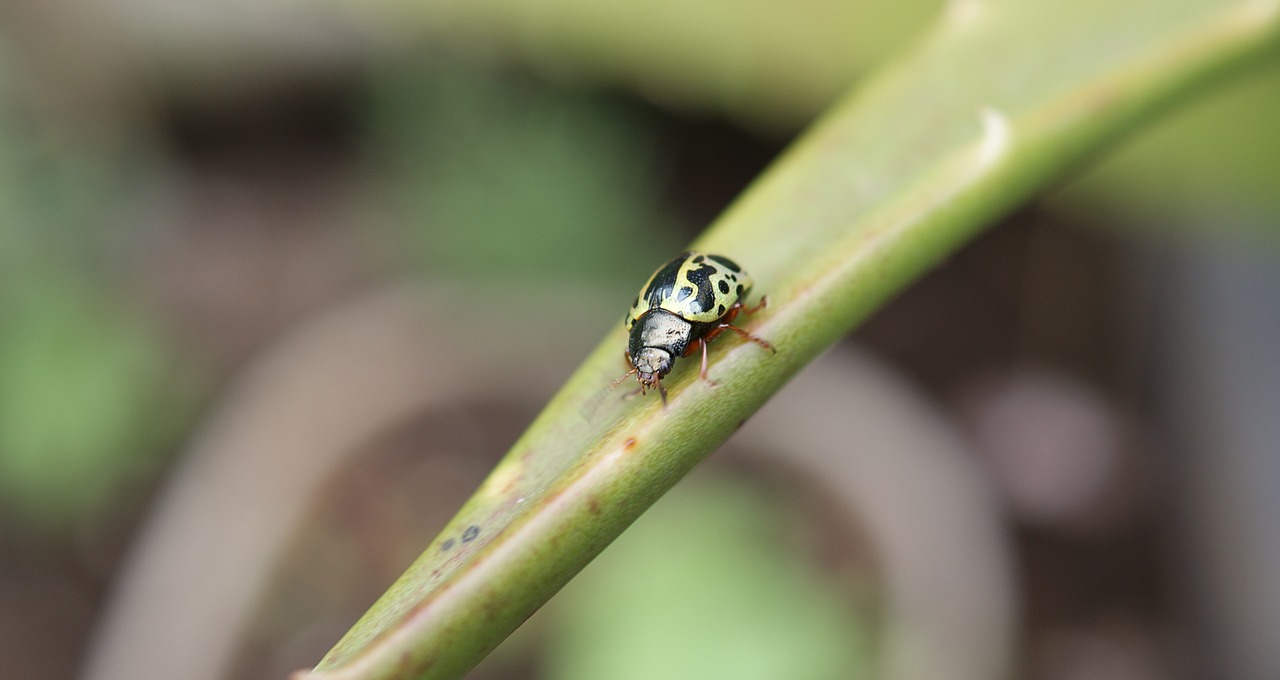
(85, 391)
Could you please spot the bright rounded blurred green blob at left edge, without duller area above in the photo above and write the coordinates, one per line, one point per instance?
(80, 404)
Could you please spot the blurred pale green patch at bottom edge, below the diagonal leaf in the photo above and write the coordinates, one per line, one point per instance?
(710, 583)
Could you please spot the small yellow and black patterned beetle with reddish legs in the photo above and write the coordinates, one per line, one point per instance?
(685, 305)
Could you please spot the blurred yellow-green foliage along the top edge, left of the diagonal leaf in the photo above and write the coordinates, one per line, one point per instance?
(771, 66)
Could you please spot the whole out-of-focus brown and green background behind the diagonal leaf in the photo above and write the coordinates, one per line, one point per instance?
(273, 277)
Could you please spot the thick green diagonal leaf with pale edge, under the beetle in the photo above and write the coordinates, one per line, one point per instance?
(999, 101)
